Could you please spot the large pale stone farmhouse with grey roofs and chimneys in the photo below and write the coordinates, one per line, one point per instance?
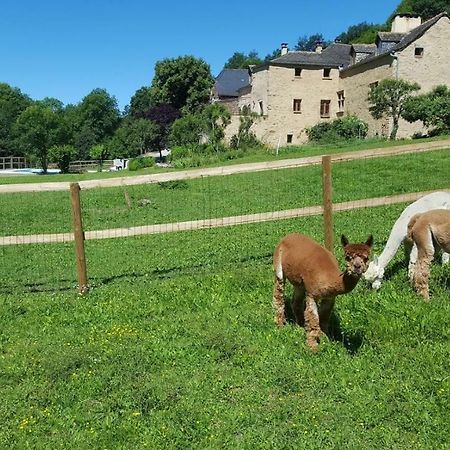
(300, 89)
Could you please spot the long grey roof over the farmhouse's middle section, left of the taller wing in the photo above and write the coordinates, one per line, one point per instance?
(334, 55)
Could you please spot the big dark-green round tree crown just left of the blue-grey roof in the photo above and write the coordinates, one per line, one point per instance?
(184, 82)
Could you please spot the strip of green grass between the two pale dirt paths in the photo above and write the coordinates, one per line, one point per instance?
(209, 197)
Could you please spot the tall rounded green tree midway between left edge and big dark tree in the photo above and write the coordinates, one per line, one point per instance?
(97, 118)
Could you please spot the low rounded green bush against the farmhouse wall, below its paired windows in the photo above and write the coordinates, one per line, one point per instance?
(343, 128)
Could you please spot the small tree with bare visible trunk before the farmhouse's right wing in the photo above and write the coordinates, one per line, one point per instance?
(387, 99)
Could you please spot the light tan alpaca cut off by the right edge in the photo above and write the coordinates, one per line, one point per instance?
(428, 231)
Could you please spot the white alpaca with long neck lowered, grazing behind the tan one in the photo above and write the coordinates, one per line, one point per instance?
(375, 272)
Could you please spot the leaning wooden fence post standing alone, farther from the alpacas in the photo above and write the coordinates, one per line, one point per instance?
(79, 238)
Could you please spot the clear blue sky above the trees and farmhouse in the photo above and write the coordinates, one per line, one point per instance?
(61, 49)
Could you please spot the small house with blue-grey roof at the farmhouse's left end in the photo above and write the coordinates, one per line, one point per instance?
(227, 85)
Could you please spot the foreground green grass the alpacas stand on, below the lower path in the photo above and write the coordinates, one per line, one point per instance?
(175, 347)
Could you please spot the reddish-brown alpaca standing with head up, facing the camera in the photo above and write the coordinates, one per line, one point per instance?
(315, 275)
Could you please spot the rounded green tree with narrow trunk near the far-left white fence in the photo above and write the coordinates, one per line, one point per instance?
(38, 128)
